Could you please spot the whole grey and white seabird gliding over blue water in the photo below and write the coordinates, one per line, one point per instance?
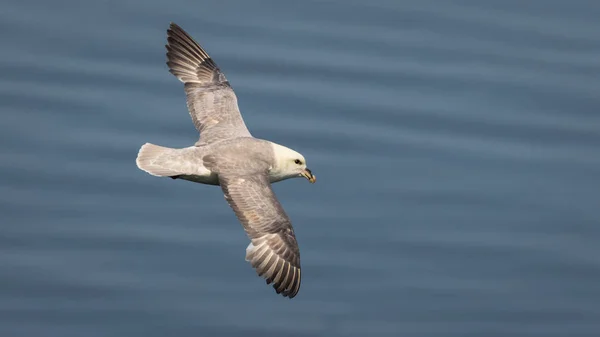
(227, 155)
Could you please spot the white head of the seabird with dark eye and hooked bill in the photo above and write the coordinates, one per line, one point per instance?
(289, 164)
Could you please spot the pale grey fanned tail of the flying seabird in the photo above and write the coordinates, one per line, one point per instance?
(157, 160)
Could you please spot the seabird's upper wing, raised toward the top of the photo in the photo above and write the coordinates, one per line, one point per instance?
(211, 101)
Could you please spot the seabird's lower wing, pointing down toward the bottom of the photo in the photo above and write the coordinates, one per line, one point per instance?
(273, 250)
